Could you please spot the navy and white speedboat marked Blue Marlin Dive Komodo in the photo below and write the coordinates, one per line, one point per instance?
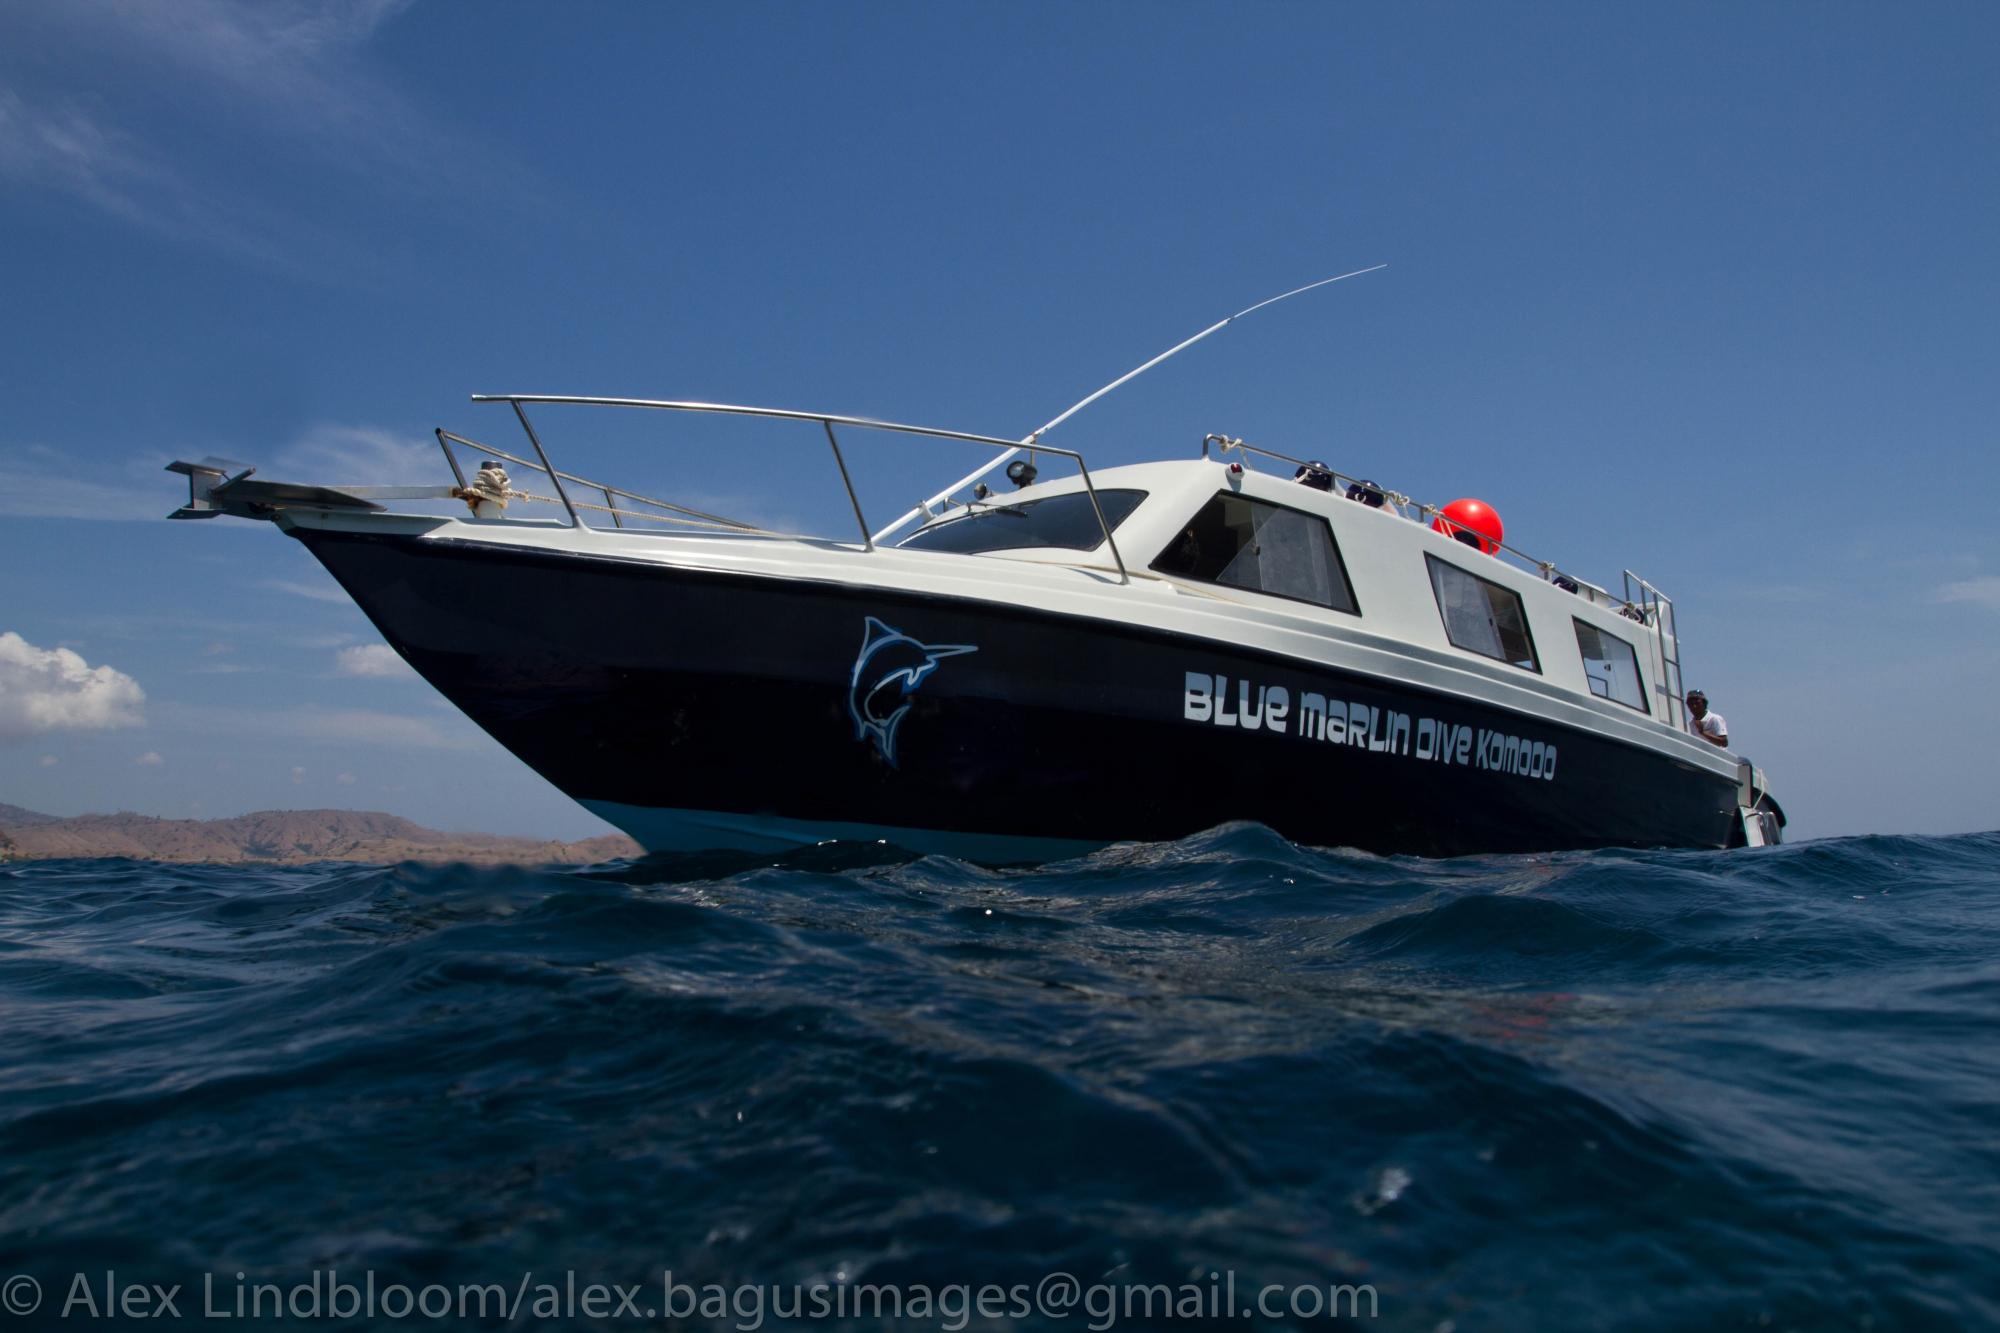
(1105, 655)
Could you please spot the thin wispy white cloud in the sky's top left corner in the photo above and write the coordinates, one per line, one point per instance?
(279, 81)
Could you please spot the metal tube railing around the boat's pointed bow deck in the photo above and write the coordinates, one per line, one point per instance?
(827, 421)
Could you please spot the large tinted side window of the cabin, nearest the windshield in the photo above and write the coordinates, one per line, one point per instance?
(1245, 543)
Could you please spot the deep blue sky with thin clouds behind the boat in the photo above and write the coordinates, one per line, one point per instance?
(1701, 291)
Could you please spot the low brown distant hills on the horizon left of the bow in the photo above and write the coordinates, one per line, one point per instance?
(283, 838)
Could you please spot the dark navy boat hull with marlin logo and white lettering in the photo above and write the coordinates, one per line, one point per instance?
(717, 710)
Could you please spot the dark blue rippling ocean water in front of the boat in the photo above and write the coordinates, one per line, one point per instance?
(1573, 1092)
